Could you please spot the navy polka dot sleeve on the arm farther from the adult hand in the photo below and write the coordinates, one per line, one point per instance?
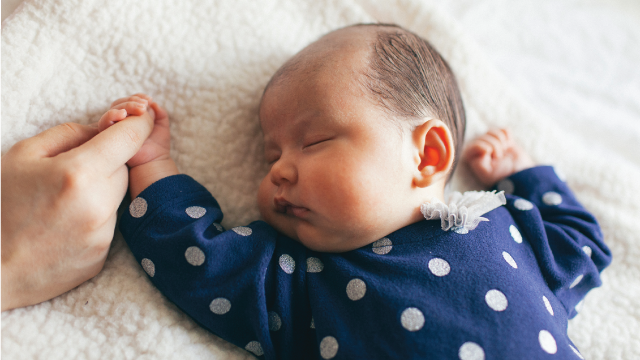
(571, 249)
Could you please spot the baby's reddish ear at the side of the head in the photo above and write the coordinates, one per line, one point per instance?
(434, 152)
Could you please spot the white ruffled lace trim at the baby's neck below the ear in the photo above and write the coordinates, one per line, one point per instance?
(464, 210)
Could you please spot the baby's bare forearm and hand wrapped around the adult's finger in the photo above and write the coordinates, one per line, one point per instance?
(153, 162)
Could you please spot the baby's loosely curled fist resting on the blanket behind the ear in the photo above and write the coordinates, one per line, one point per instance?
(495, 155)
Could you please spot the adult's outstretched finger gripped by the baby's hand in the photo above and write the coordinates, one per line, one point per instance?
(112, 148)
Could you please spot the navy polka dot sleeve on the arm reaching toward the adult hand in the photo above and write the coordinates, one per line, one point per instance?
(229, 281)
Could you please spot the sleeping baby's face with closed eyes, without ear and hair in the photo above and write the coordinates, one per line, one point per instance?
(340, 169)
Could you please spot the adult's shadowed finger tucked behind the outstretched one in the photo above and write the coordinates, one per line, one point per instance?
(59, 139)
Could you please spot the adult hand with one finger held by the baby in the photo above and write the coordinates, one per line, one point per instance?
(59, 194)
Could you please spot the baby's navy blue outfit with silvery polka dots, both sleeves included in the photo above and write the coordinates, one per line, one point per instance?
(502, 291)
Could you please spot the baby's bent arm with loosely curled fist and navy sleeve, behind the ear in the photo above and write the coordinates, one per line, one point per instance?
(566, 239)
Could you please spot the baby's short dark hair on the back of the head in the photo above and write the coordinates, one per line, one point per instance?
(409, 79)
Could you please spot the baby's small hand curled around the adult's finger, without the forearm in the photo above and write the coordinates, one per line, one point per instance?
(157, 145)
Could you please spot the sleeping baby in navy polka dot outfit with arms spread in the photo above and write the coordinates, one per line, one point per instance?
(363, 129)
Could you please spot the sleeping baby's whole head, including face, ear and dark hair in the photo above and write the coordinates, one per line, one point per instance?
(361, 127)
